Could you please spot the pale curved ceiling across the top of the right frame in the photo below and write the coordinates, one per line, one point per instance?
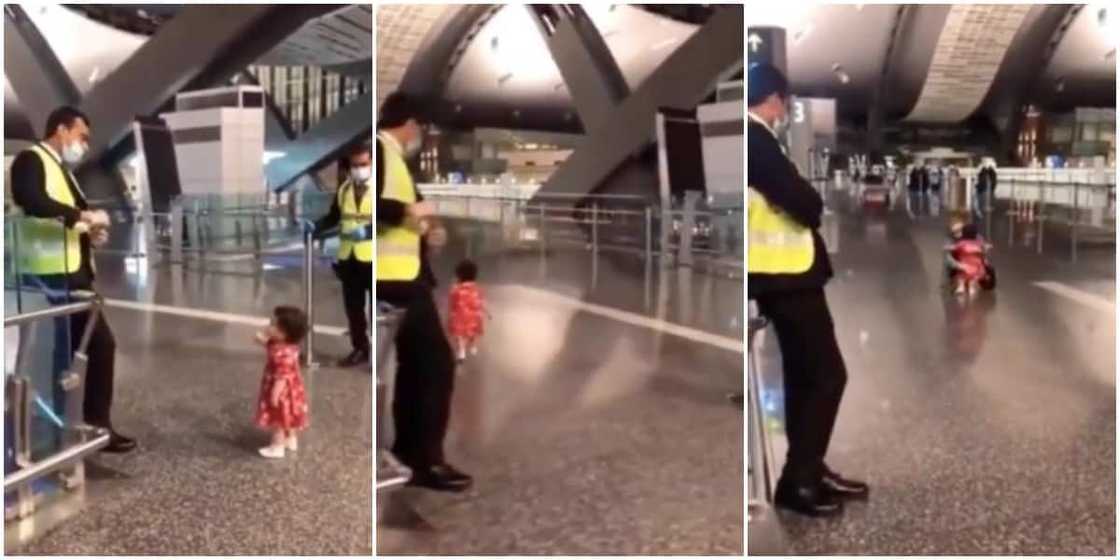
(827, 59)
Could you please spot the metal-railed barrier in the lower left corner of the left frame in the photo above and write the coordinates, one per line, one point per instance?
(45, 440)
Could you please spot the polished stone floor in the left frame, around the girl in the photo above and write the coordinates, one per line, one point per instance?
(186, 389)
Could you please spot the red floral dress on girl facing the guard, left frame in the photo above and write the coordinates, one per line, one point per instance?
(292, 413)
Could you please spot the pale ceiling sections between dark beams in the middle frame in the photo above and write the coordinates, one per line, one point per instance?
(492, 67)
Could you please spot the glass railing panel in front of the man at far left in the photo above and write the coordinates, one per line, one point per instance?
(44, 435)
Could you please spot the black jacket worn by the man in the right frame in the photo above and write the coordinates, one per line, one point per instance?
(771, 173)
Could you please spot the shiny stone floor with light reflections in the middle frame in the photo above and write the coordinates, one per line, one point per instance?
(587, 435)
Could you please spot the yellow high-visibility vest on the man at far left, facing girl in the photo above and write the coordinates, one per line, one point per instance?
(46, 247)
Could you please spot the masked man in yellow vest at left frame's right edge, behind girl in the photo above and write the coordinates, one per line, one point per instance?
(352, 212)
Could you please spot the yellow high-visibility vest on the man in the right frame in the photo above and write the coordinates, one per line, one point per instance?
(776, 245)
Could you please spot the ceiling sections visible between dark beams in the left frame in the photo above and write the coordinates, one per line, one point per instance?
(92, 41)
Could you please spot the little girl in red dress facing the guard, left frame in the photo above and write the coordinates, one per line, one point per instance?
(282, 406)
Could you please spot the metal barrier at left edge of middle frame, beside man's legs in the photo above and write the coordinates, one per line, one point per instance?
(391, 472)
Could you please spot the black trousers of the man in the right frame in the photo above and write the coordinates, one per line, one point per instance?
(815, 378)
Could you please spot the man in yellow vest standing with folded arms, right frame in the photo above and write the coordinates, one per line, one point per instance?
(788, 267)
